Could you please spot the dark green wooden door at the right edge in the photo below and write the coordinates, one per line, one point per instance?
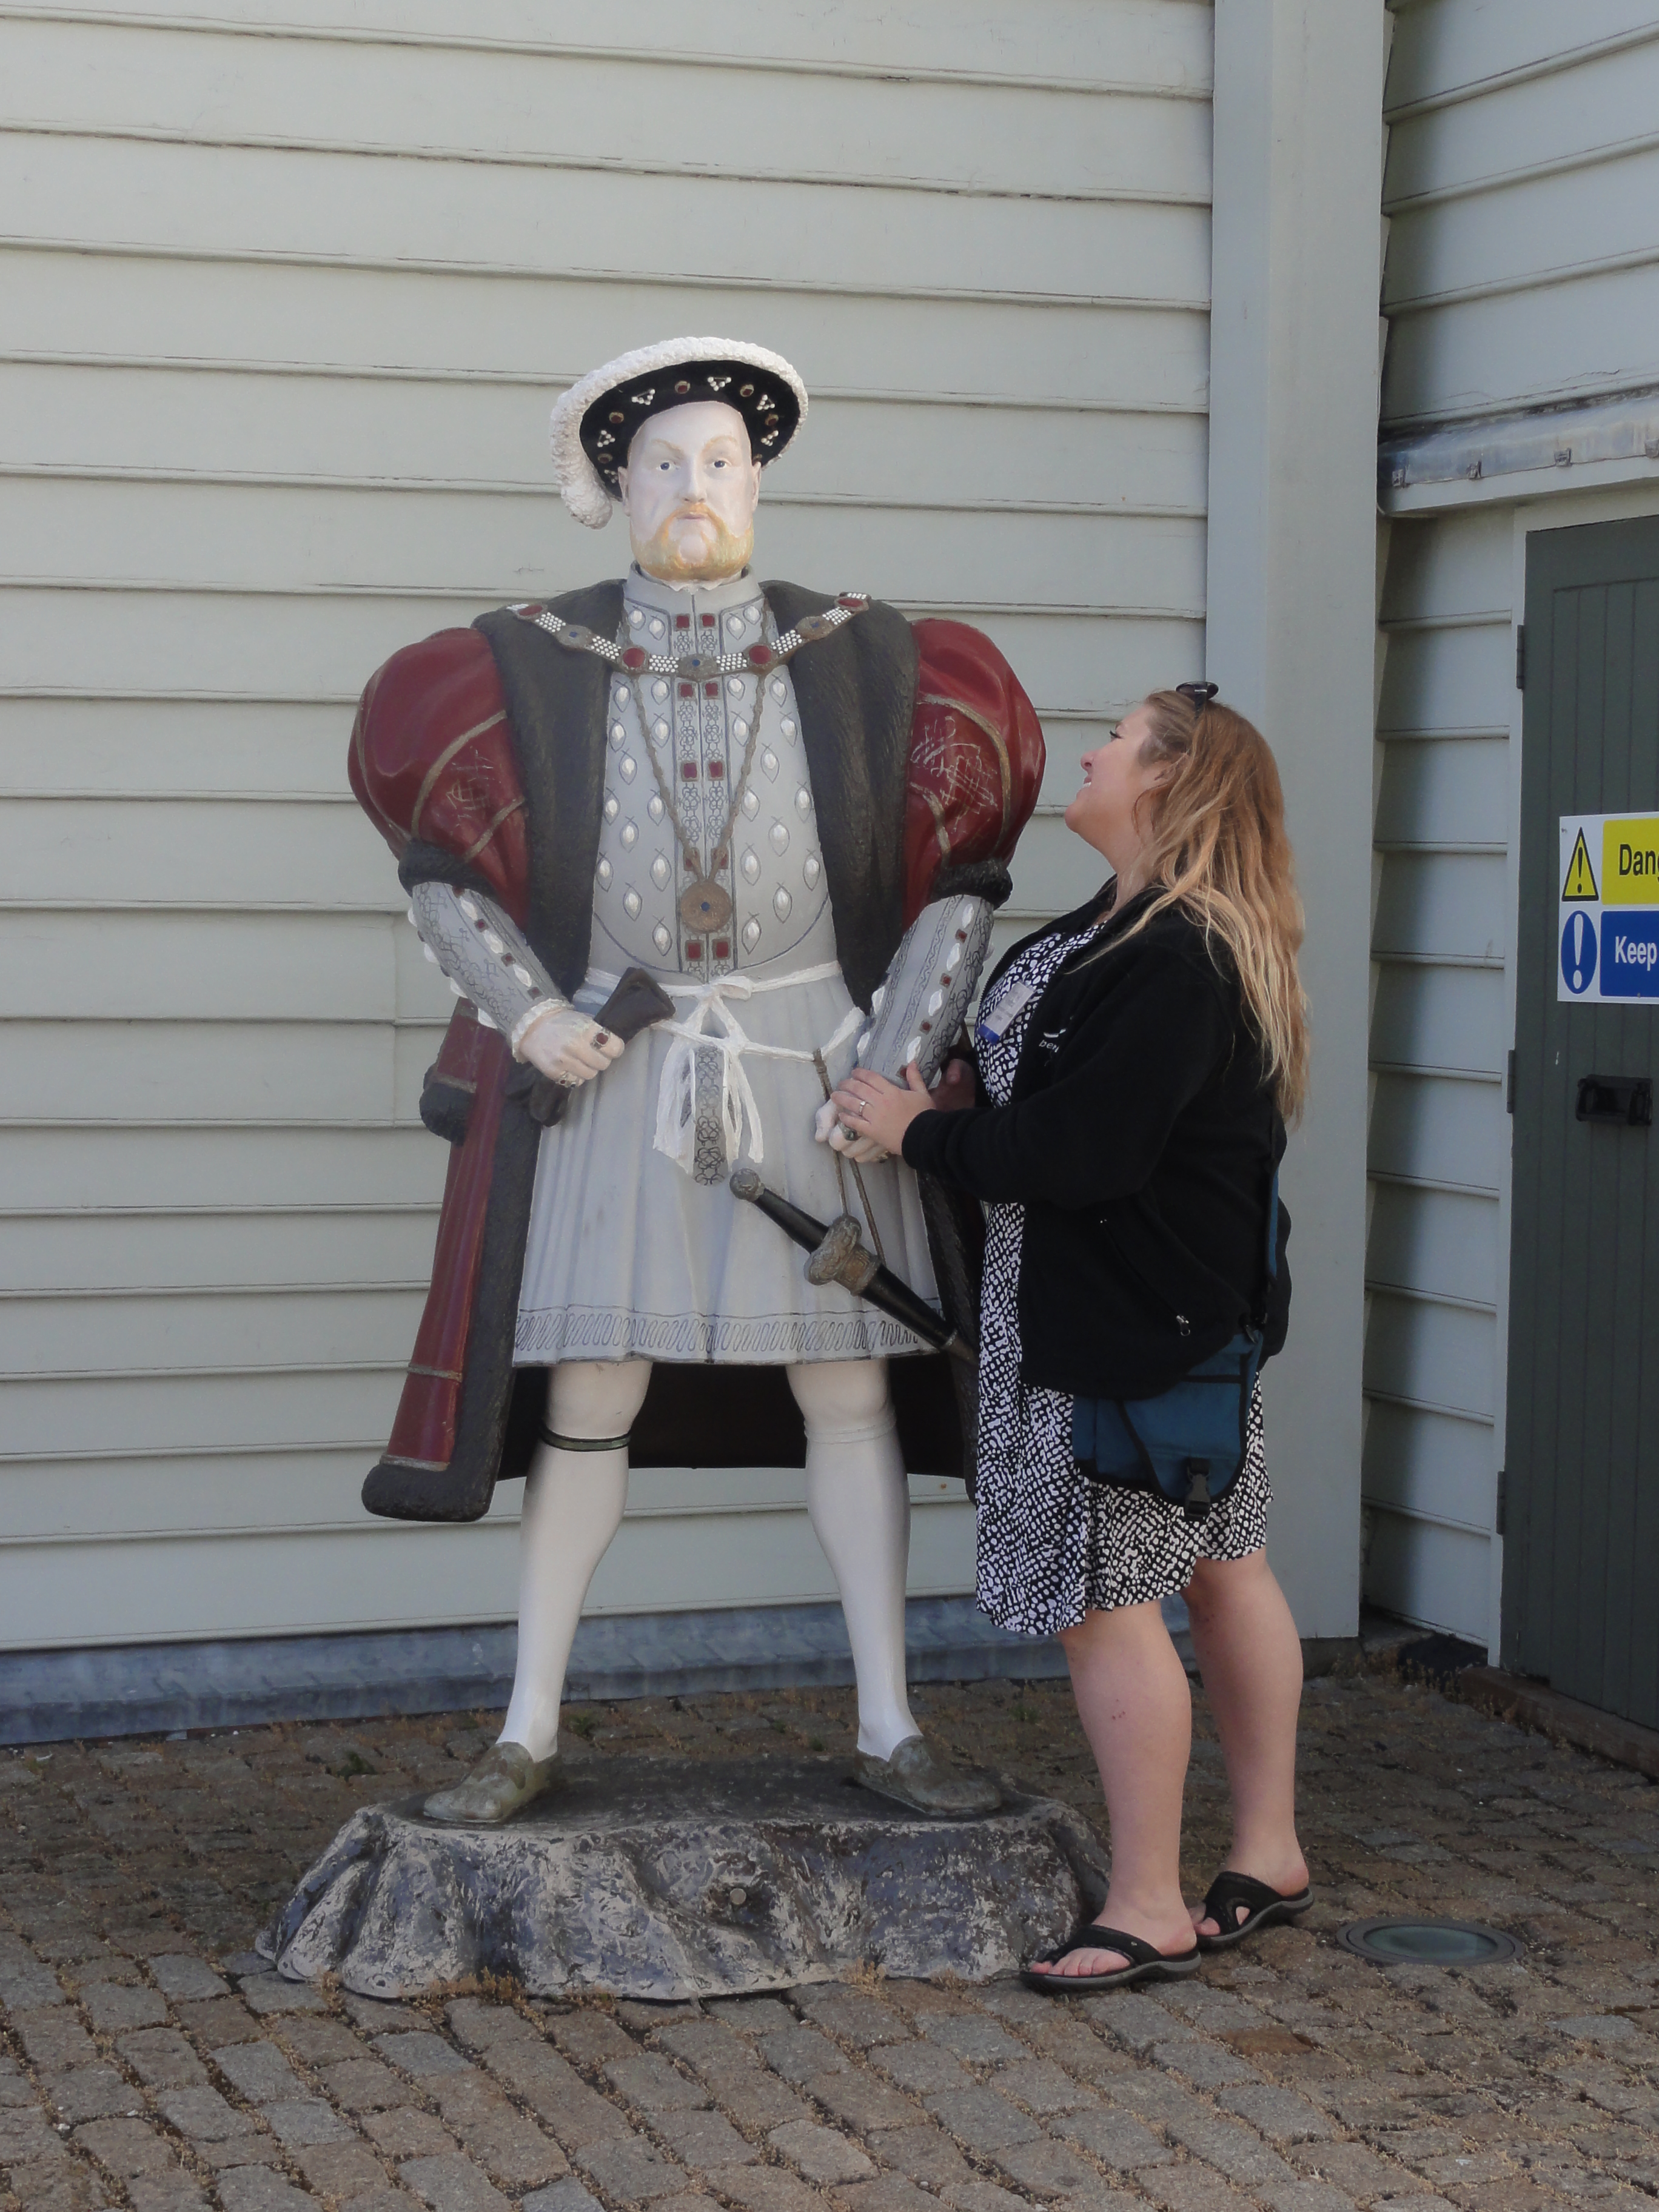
(1583, 1439)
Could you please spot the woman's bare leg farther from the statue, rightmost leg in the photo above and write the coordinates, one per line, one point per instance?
(1253, 1676)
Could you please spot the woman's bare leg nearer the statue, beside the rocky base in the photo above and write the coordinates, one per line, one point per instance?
(1138, 1718)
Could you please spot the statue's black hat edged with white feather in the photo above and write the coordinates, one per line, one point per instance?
(596, 419)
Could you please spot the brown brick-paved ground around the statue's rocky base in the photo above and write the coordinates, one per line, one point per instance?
(145, 2063)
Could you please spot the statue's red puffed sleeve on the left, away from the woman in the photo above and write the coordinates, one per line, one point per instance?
(432, 762)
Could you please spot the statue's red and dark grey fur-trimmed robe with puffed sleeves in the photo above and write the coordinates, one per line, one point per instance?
(481, 760)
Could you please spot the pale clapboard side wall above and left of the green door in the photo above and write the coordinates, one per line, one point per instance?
(1523, 275)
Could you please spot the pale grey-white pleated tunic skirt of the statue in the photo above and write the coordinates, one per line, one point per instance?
(629, 1258)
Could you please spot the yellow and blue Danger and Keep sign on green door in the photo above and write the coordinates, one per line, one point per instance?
(1609, 908)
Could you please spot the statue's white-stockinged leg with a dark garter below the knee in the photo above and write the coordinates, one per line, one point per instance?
(572, 1510)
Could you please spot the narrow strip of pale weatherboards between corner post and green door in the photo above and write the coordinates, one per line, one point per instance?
(1439, 1039)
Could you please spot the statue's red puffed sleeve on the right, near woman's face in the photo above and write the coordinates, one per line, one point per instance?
(974, 760)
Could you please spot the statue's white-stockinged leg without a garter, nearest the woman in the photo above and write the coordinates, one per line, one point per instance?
(859, 1505)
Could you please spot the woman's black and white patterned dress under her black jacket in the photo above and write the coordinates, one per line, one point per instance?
(1054, 1545)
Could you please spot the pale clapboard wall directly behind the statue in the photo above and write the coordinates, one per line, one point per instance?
(284, 300)
